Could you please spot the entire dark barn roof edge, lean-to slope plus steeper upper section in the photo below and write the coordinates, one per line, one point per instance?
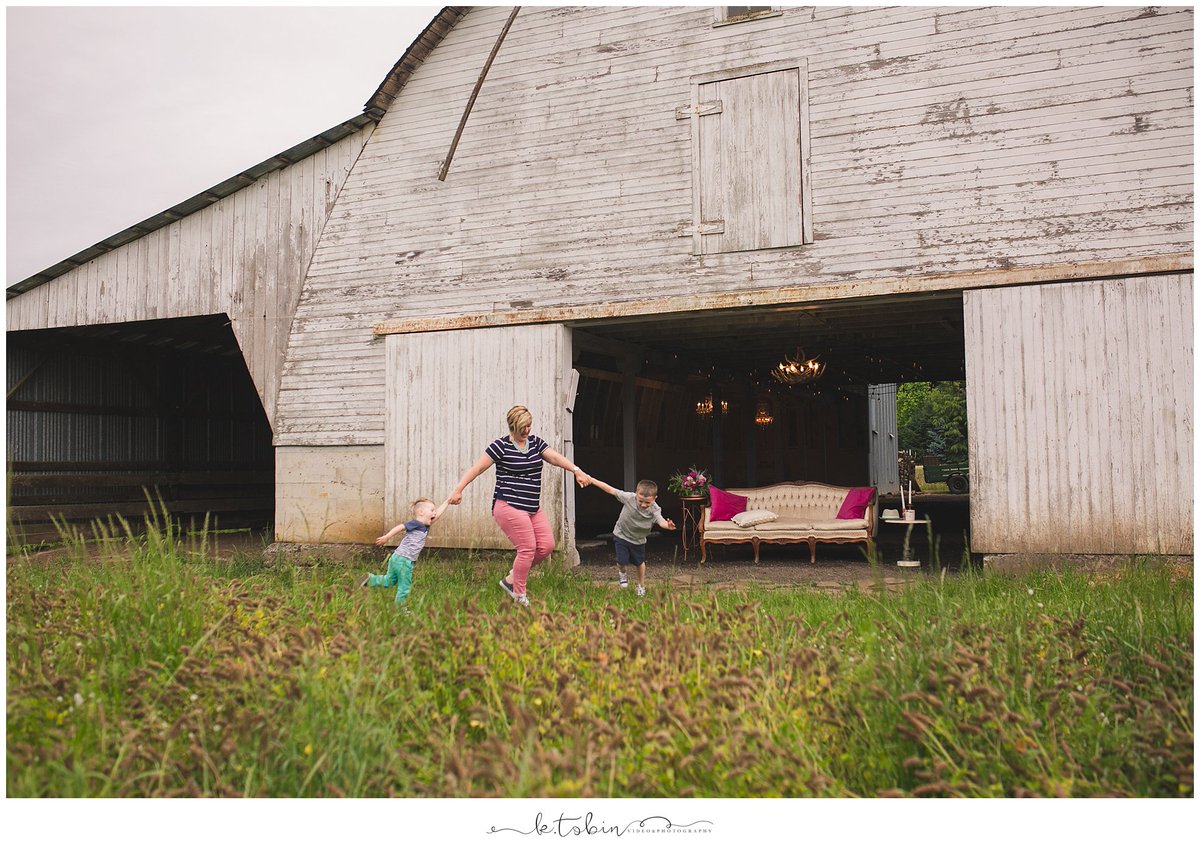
(373, 111)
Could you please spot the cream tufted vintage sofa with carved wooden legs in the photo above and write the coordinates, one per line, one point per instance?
(807, 514)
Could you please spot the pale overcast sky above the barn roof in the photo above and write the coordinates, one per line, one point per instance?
(117, 115)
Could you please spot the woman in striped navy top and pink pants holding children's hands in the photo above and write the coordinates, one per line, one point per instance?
(517, 503)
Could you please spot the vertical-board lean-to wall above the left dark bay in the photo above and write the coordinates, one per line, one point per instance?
(244, 256)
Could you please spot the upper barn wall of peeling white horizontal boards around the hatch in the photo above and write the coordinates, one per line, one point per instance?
(944, 143)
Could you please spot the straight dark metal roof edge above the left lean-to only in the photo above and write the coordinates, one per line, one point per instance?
(199, 202)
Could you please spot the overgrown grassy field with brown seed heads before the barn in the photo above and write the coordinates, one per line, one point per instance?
(151, 669)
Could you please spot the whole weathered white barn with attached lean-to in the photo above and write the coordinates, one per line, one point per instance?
(645, 207)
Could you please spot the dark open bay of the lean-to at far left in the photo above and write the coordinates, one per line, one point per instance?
(100, 416)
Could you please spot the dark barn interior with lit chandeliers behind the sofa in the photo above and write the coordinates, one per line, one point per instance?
(759, 431)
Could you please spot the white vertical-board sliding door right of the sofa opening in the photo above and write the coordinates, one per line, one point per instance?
(1081, 401)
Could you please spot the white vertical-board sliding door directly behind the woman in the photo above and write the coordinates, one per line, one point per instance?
(448, 393)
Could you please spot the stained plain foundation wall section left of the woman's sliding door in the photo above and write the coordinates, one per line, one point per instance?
(329, 495)
